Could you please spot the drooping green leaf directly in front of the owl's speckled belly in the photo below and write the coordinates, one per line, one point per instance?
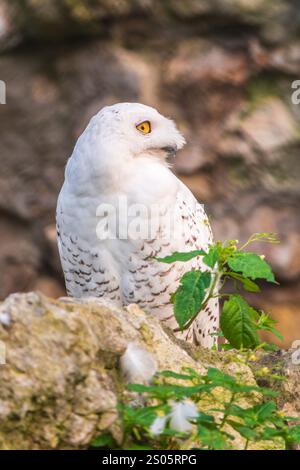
(189, 296)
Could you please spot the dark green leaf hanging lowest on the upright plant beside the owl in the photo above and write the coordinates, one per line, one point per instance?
(237, 323)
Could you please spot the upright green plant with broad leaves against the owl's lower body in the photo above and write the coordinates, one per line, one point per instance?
(239, 321)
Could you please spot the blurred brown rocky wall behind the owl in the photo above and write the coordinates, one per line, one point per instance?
(223, 69)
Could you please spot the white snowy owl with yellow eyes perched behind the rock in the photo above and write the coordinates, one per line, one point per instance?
(121, 207)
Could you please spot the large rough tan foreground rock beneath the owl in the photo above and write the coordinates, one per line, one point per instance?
(62, 381)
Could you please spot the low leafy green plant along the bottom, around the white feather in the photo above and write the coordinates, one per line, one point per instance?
(172, 419)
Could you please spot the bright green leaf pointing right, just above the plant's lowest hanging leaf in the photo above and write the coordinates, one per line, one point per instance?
(251, 265)
